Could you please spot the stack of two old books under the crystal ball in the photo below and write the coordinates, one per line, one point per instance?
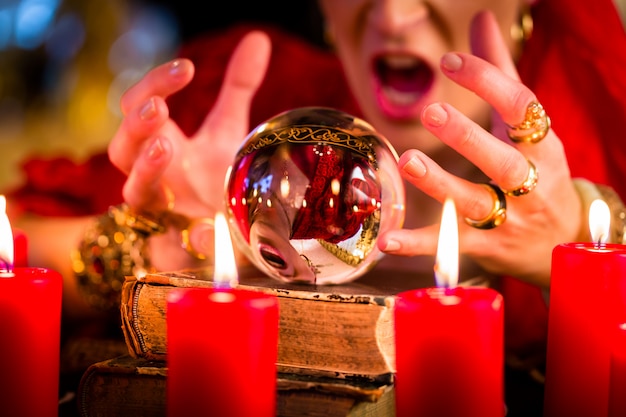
(336, 347)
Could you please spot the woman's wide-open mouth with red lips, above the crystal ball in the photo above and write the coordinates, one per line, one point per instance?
(402, 79)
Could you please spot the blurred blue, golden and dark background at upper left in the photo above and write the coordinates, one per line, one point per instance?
(65, 63)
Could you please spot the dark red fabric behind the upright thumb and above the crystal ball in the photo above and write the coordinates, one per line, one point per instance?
(299, 75)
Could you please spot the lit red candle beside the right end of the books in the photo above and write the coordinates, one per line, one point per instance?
(449, 343)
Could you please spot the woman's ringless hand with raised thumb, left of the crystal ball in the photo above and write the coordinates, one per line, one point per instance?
(169, 171)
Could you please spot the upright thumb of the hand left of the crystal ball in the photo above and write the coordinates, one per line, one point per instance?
(244, 75)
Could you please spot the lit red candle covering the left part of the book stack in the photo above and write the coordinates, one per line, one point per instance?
(222, 345)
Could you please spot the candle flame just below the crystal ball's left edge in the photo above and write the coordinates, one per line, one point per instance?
(225, 275)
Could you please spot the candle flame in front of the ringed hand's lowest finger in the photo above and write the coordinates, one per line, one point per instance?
(447, 262)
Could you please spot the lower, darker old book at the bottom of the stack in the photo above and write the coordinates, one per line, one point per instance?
(127, 386)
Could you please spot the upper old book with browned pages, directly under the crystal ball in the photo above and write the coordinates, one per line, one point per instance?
(339, 331)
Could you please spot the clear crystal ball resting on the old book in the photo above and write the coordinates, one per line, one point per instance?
(310, 191)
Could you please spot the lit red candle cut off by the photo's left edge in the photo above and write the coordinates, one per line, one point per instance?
(30, 325)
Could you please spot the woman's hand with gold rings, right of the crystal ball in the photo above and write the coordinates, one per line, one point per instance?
(549, 214)
